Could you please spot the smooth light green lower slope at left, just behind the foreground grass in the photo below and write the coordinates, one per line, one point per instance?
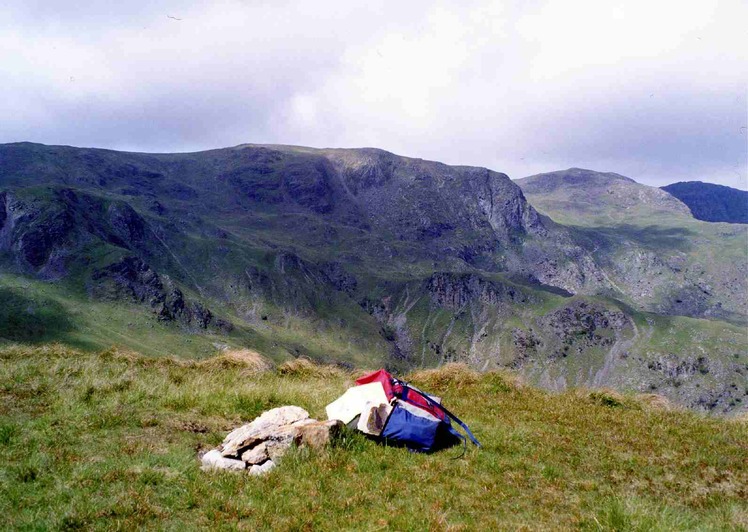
(35, 312)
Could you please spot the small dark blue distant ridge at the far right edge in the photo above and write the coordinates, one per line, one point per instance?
(712, 203)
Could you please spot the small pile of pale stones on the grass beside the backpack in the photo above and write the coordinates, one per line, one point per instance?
(259, 445)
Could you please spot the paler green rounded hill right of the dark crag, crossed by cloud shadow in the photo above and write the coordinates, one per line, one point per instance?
(662, 259)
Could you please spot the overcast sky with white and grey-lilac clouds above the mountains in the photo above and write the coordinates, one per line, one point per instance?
(655, 90)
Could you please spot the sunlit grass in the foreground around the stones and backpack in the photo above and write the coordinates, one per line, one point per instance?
(109, 440)
